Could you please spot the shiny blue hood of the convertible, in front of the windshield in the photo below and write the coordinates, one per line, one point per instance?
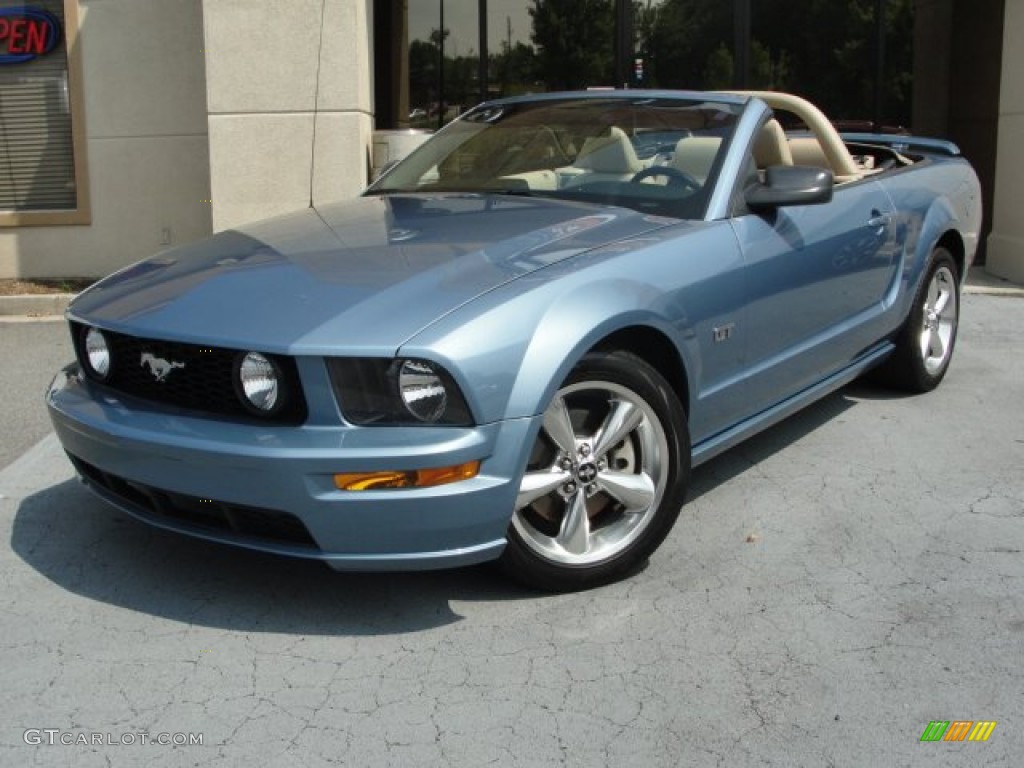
(365, 275)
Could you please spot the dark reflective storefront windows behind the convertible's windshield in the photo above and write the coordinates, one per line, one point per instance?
(837, 55)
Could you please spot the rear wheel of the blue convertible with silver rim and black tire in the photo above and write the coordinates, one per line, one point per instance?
(925, 344)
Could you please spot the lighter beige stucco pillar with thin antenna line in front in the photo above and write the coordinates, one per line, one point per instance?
(289, 97)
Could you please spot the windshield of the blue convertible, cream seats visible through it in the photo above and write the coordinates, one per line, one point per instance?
(656, 155)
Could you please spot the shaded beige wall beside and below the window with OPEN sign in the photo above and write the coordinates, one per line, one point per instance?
(148, 154)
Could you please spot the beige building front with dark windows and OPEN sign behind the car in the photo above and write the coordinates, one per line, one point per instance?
(130, 126)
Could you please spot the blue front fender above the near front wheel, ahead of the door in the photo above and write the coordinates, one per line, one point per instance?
(510, 350)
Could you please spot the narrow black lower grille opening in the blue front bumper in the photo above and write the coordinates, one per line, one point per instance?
(200, 515)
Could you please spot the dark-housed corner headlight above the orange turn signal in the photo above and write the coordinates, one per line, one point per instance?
(389, 393)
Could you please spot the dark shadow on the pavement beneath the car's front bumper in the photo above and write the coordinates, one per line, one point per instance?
(91, 549)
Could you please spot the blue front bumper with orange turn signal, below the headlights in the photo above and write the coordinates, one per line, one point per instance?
(272, 488)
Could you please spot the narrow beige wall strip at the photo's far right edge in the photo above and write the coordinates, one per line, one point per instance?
(1006, 244)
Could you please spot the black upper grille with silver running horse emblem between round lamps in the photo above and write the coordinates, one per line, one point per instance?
(190, 376)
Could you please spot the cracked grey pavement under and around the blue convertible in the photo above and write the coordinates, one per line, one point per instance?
(832, 588)
